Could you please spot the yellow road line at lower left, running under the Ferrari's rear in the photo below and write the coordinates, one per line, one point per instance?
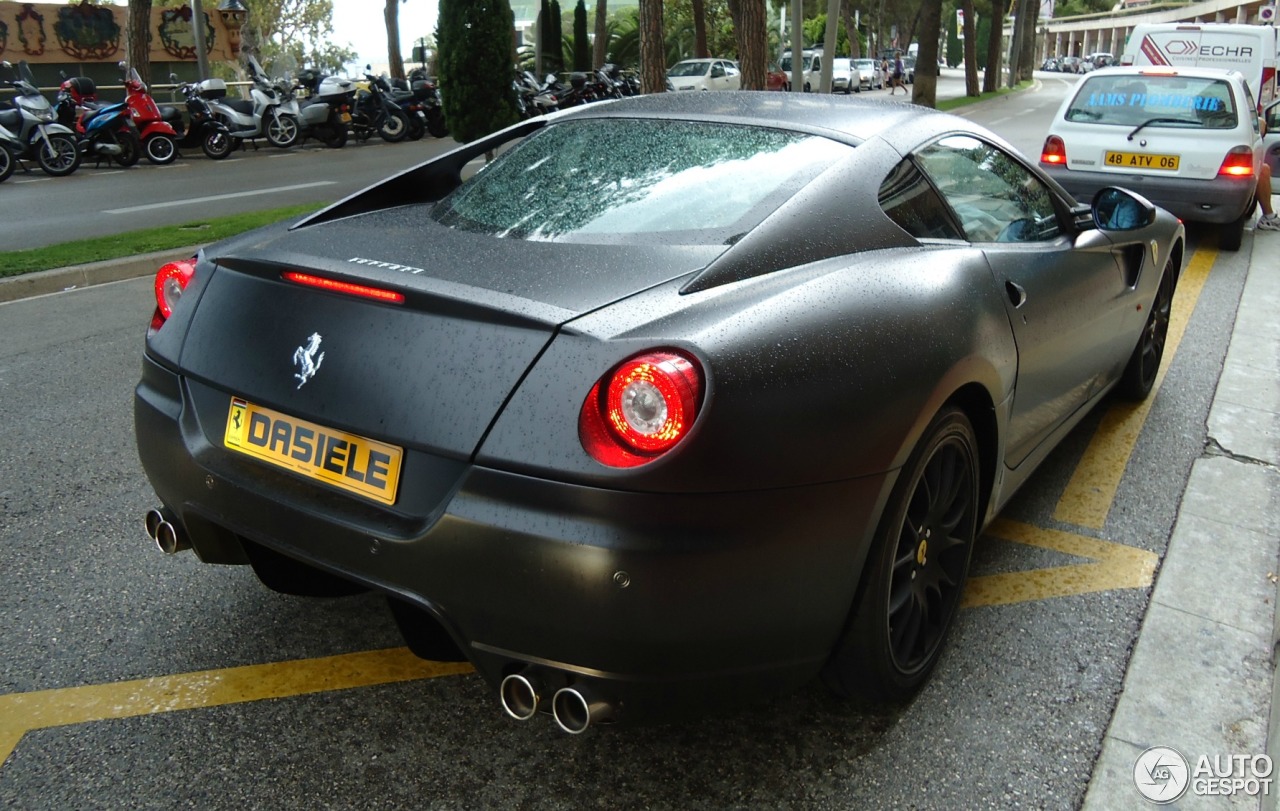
(22, 713)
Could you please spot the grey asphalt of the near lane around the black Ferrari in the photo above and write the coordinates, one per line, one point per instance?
(1014, 717)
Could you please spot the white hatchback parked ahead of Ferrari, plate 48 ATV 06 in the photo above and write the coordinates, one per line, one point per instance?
(1187, 139)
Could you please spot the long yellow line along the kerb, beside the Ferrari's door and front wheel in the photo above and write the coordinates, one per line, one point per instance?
(1089, 497)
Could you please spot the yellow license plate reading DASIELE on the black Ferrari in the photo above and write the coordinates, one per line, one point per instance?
(348, 461)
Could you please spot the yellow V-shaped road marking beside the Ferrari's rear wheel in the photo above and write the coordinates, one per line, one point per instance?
(1116, 566)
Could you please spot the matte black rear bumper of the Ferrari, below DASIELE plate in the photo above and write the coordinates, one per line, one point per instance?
(657, 602)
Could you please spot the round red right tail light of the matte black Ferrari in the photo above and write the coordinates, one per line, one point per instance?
(641, 410)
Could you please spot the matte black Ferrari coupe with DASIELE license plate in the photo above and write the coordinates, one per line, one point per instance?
(682, 401)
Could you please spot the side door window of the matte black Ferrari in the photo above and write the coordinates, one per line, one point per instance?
(995, 198)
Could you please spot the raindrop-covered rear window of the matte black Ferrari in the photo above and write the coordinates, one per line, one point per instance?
(611, 181)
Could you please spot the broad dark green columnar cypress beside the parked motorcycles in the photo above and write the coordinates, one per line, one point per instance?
(476, 67)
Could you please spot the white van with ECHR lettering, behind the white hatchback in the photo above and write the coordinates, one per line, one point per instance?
(1249, 49)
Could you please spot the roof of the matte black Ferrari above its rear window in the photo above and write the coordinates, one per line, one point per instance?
(817, 114)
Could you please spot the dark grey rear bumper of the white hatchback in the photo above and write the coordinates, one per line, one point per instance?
(1218, 201)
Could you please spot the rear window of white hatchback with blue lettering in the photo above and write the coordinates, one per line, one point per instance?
(1155, 100)
